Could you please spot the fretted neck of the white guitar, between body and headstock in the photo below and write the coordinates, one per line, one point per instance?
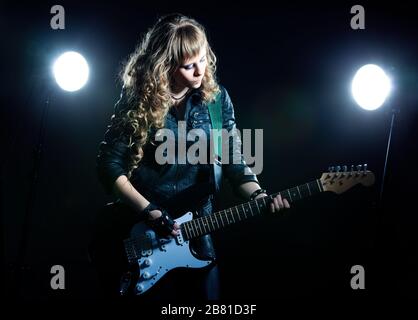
(221, 219)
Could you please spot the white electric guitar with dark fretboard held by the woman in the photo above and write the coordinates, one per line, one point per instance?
(150, 257)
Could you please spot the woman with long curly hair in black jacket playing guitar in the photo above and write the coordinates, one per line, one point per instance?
(169, 81)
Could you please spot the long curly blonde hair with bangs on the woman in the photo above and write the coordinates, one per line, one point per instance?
(147, 74)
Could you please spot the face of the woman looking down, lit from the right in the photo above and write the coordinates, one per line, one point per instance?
(191, 72)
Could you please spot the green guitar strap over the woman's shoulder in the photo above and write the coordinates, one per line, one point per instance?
(215, 112)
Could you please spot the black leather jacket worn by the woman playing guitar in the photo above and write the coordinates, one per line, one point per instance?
(177, 187)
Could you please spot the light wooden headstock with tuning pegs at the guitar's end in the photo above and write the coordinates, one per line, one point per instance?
(340, 179)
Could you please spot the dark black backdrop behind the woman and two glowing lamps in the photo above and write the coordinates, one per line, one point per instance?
(288, 70)
